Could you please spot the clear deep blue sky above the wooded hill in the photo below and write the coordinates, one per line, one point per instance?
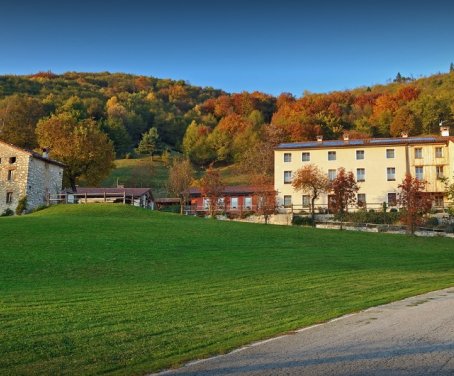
(271, 46)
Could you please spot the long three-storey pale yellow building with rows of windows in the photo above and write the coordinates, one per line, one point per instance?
(379, 166)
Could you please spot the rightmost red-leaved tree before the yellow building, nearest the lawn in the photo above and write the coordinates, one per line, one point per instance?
(413, 201)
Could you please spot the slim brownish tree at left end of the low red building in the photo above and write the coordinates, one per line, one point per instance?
(181, 175)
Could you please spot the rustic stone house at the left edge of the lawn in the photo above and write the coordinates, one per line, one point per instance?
(27, 173)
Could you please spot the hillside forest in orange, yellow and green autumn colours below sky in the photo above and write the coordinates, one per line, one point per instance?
(210, 125)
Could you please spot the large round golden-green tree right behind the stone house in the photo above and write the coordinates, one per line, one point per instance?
(86, 151)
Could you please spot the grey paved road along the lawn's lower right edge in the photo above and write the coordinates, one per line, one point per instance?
(414, 337)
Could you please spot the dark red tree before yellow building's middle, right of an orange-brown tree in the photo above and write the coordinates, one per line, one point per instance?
(344, 188)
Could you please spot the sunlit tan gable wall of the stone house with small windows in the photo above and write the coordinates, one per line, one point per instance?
(12, 183)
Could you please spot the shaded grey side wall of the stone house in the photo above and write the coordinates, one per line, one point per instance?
(43, 178)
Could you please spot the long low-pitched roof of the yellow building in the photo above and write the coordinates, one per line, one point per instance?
(364, 142)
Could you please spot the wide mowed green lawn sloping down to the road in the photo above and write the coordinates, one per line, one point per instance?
(120, 290)
